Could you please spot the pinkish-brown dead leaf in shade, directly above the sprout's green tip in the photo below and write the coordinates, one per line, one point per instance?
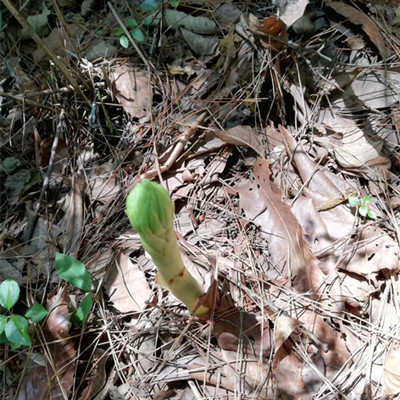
(133, 90)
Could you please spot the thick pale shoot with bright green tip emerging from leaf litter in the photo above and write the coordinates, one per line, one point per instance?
(151, 213)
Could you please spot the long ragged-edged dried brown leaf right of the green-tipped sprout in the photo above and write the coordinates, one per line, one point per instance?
(261, 199)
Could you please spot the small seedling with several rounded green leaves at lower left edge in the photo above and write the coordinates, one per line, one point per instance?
(14, 328)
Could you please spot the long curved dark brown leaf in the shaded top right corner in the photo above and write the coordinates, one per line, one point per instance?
(357, 17)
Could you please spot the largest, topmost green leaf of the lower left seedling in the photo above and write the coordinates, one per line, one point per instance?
(73, 271)
